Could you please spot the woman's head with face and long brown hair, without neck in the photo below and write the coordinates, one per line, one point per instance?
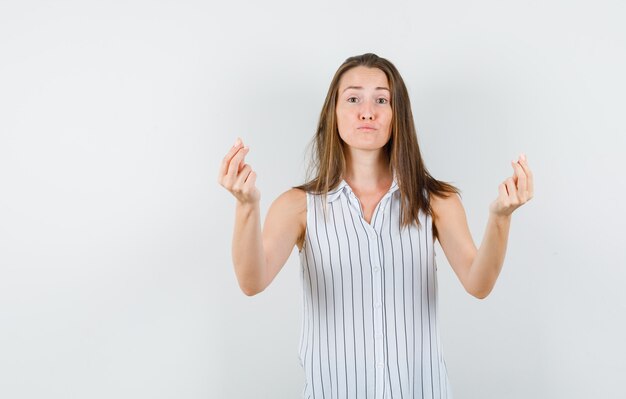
(338, 127)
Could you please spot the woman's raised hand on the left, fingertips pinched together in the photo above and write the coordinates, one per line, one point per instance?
(238, 177)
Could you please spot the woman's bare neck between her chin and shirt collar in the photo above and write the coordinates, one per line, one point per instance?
(367, 170)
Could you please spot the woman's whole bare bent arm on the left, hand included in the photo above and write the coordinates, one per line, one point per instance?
(259, 256)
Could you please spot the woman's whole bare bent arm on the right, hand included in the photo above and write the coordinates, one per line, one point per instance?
(479, 269)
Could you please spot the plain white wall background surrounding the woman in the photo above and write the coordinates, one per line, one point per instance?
(115, 271)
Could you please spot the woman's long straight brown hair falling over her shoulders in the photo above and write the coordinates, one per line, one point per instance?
(402, 150)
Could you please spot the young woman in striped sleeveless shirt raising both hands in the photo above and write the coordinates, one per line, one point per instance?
(365, 226)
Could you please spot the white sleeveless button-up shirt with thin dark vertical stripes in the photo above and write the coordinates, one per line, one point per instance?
(369, 326)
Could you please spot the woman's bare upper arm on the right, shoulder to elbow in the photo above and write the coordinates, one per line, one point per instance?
(453, 234)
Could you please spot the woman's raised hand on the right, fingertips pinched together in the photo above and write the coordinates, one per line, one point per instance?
(514, 191)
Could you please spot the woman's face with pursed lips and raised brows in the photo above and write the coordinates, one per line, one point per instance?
(364, 108)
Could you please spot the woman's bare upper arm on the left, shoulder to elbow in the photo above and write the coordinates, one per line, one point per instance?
(283, 229)
